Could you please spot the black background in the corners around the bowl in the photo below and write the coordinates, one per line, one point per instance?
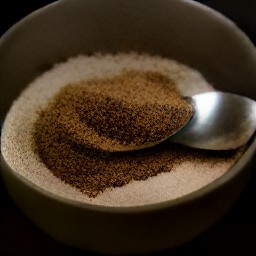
(235, 234)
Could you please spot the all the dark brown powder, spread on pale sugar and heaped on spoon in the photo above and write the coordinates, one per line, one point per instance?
(79, 133)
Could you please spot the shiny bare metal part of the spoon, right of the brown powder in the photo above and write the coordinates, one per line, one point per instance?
(221, 121)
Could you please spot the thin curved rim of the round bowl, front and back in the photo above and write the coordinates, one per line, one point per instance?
(190, 197)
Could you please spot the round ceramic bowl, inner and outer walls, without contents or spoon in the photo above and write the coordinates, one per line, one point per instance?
(178, 29)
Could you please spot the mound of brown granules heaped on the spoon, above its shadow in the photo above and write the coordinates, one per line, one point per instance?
(119, 113)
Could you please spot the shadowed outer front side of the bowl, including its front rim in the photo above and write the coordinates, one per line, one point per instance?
(127, 230)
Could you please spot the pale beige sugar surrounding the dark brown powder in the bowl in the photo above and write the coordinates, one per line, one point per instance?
(16, 144)
